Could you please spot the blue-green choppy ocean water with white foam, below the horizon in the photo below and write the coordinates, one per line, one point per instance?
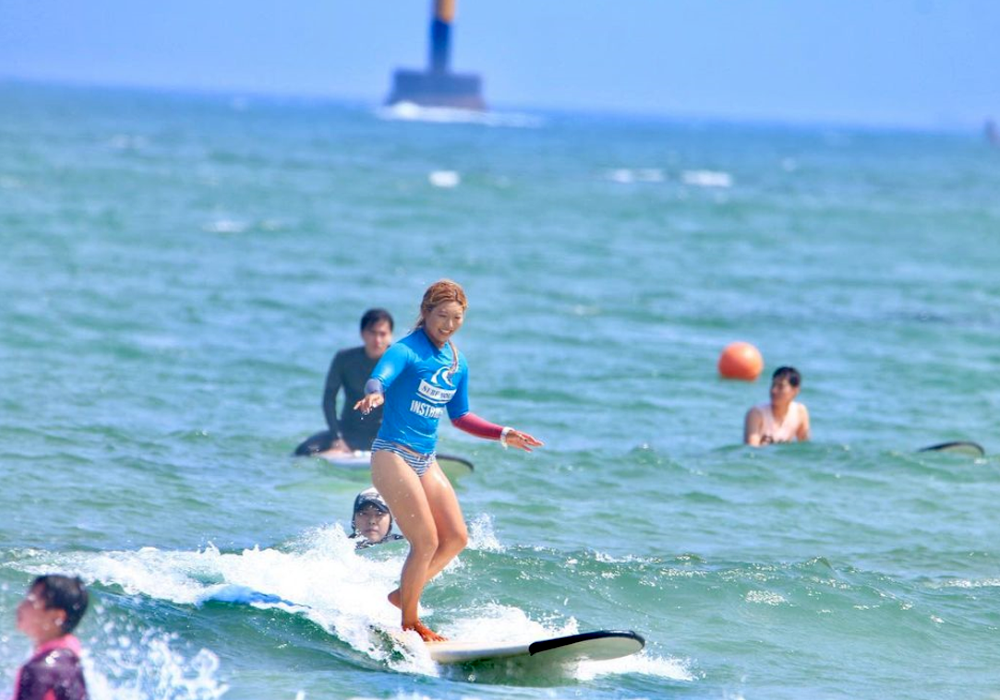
(177, 271)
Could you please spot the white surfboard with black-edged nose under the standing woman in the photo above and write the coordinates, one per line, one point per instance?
(600, 645)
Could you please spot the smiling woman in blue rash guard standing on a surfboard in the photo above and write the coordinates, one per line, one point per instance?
(418, 379)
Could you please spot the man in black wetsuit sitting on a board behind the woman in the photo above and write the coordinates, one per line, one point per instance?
(349, 371)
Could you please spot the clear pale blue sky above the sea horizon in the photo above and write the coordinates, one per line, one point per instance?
(912, 63)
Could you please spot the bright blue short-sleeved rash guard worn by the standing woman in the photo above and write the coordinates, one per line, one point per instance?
(418, 388)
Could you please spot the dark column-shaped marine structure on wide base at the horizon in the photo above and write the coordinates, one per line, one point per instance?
(438, 86)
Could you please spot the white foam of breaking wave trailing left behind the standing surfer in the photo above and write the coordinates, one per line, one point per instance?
(320, 576)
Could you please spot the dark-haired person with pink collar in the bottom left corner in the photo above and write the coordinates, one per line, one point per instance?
(49, 612)
